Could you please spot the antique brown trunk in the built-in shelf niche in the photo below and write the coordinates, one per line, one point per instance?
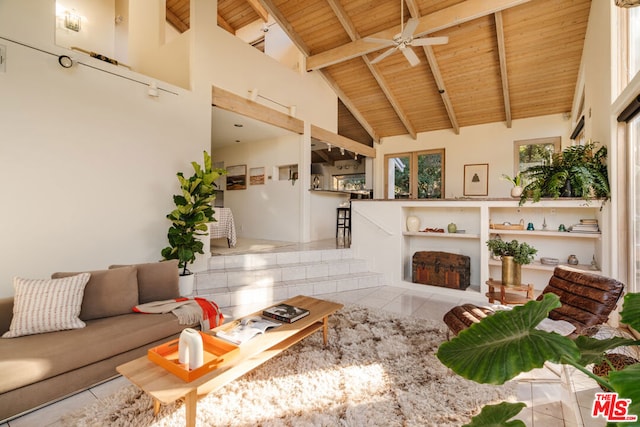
(441, 269)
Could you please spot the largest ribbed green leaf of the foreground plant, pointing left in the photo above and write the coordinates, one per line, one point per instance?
(505, 344)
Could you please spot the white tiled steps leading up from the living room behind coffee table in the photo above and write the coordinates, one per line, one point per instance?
(265, 278)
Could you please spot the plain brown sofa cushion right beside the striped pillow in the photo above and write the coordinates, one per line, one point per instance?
(108, 293)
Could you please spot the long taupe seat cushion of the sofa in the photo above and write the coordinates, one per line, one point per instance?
(27, 360)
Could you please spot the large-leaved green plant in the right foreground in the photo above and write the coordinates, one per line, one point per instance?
(507, 343)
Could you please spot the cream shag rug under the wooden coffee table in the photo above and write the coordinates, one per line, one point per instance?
(378, 370)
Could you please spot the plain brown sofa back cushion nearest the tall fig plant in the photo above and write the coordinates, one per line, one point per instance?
(157, 281)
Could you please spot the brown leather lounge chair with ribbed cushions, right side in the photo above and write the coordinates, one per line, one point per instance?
(587, 299)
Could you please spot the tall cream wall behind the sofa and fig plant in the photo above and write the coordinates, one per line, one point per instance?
(88, 159)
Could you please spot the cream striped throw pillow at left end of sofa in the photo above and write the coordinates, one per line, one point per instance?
(42, 305)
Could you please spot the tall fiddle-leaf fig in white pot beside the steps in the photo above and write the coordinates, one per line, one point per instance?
(190, 217)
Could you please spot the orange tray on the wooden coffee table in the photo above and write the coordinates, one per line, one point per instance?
(216, 351)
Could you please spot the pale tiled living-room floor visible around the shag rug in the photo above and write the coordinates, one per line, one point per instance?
(550, 402)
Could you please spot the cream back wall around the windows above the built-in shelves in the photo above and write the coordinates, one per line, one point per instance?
(490, 143)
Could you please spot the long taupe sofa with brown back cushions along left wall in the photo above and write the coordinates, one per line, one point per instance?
(40, 368)
